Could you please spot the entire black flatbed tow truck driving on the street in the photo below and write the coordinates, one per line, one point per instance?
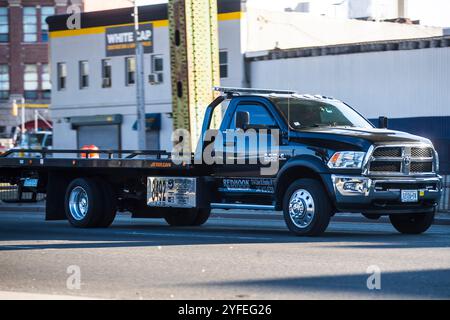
(328, 158)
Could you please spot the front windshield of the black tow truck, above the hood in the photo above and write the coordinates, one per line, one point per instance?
(307, 113)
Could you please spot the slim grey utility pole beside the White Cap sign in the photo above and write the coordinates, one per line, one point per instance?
(140, 90)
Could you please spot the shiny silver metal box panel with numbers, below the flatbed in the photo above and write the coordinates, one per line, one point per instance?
(171, 192)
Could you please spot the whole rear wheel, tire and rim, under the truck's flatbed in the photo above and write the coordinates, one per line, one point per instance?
(84, 203)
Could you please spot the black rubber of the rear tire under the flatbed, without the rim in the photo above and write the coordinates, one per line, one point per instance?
(93, 216)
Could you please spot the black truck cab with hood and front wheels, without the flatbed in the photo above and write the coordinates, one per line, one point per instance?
(329, 159)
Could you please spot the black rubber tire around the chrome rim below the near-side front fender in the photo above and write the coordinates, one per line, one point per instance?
(321, 208)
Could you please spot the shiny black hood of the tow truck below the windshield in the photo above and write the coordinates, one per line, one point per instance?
(360, 138)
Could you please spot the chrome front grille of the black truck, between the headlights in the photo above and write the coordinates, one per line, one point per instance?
(401, 160)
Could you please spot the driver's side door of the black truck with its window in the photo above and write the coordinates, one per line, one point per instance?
(242, 166)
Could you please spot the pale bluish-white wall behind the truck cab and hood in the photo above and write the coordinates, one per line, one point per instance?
(402, 83)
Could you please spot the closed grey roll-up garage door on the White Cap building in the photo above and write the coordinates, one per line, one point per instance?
(105, 137)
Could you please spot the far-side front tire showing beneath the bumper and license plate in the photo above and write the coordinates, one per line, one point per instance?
(412, 223)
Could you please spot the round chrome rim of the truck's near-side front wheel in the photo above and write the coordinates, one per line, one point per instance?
(301, 208)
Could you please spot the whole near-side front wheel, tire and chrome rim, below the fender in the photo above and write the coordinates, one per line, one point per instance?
(306, 208)
